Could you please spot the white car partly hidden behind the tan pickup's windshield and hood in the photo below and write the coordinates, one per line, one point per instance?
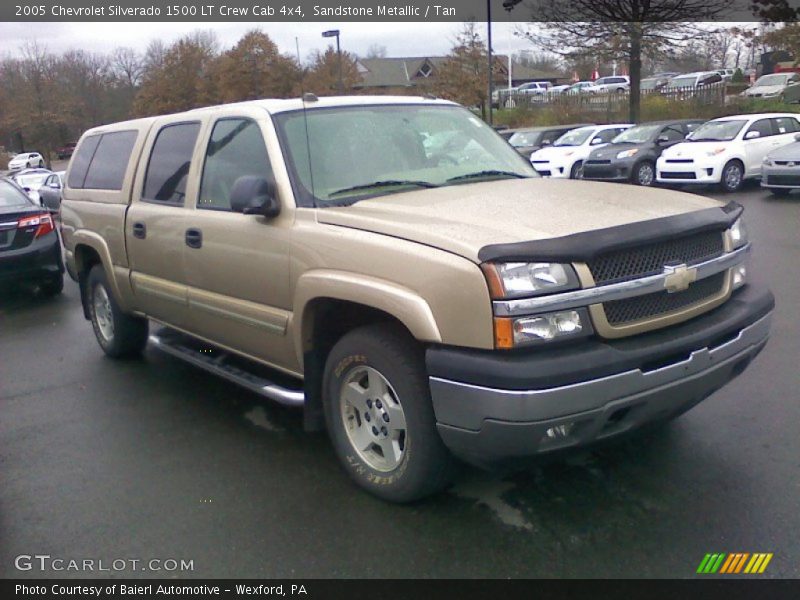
(565, 157)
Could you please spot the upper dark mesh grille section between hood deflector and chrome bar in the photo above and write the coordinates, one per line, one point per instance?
(622, 265)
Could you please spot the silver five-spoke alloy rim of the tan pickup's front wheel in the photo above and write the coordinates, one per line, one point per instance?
(373, 419)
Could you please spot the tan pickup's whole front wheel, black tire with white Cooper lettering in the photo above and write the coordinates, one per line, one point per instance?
(425, 466)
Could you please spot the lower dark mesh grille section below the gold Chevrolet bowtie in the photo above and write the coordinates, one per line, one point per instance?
(653, 305)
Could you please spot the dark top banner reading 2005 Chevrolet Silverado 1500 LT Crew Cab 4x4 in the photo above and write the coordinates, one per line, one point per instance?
(401, 11)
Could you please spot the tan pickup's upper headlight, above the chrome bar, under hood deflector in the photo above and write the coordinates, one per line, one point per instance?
(518, 280)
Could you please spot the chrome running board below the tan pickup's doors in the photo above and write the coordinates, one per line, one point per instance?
(226, 365)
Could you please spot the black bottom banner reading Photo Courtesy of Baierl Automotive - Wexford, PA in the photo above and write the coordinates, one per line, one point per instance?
(653, 589)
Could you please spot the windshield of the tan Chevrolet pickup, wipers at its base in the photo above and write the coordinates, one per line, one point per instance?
(352, 153)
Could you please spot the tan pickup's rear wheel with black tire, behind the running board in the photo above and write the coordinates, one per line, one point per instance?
(128, 336)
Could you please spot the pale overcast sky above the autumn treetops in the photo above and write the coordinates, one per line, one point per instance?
(400, 39)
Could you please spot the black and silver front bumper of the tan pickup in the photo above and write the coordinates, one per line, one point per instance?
(491, 406)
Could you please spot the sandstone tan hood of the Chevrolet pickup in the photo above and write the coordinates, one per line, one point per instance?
(462, 219)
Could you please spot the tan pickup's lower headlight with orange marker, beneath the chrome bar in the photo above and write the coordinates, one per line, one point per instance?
(537, 329)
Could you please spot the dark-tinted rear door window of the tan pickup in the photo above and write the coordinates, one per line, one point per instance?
(170, 160)
